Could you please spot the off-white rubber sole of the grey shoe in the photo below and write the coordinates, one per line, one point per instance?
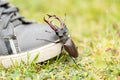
(45, 53)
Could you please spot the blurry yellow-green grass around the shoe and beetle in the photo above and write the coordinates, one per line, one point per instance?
(95, 28)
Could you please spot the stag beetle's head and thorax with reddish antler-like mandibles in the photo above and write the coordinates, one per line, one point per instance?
(61, 31)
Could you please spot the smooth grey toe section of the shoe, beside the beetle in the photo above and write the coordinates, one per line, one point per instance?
(34, 36)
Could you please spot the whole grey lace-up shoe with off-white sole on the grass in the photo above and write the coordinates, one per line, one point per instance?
(20, 38)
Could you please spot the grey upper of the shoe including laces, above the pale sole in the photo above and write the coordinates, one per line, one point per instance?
(18, 35)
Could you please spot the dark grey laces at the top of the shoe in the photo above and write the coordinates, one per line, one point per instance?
(8, 13)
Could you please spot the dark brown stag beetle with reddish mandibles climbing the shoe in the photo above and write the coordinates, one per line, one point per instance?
(62, 33)
